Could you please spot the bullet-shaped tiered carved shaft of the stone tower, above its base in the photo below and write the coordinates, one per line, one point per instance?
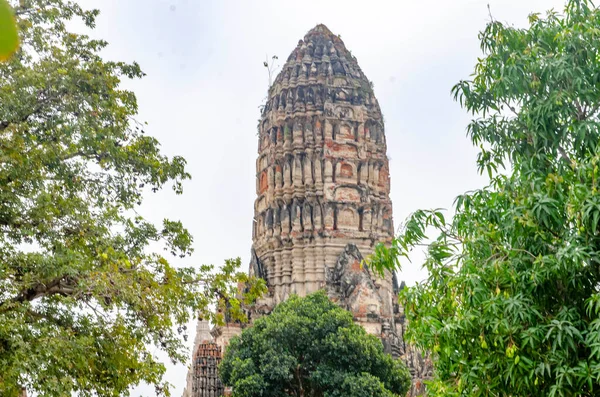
(320, 174)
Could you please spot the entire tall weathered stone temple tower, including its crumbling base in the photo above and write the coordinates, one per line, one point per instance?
(322, 185)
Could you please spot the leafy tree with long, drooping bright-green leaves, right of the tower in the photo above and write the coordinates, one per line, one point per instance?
(511, 306)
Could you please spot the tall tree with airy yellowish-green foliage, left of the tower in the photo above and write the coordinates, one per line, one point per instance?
(85, 297)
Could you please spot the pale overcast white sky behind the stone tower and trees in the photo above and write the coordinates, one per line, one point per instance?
(205, 81)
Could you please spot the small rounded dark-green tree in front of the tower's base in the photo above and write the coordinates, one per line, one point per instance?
(310, 347)
